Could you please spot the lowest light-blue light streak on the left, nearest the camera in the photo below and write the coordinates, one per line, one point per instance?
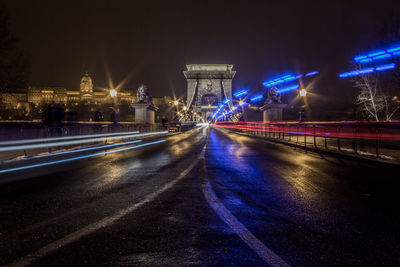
(78, 158)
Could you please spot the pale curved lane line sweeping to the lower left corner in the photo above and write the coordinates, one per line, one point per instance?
(46, 250)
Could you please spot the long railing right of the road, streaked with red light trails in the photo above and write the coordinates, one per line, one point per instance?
(377, 139)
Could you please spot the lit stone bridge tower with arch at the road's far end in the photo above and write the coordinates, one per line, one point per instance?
(207, 86)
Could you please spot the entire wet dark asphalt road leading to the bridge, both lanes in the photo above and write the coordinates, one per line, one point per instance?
(241, 202)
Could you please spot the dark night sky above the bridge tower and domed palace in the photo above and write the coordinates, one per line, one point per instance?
(155, 39)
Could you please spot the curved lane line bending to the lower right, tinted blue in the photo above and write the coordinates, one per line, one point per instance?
(253, 242)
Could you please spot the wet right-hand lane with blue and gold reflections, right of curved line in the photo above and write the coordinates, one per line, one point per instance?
(309, 209)
